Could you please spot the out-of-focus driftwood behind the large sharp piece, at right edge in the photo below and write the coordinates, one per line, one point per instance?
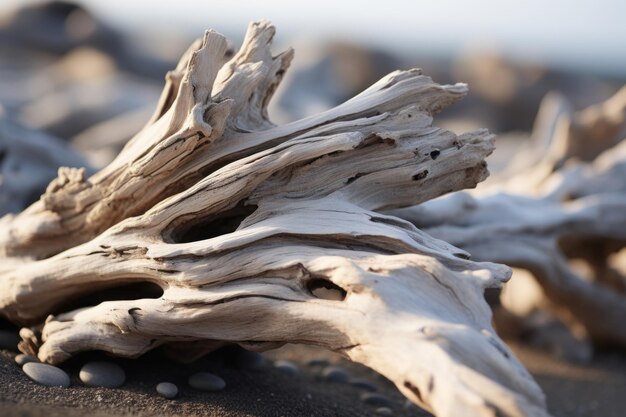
(560, 207)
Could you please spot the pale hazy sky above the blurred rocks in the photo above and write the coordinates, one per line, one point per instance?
(588, 34)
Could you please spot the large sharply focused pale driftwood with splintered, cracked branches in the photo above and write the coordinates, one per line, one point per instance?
(262, 235)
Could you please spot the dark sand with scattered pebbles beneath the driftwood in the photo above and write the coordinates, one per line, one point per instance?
(598, 389)
